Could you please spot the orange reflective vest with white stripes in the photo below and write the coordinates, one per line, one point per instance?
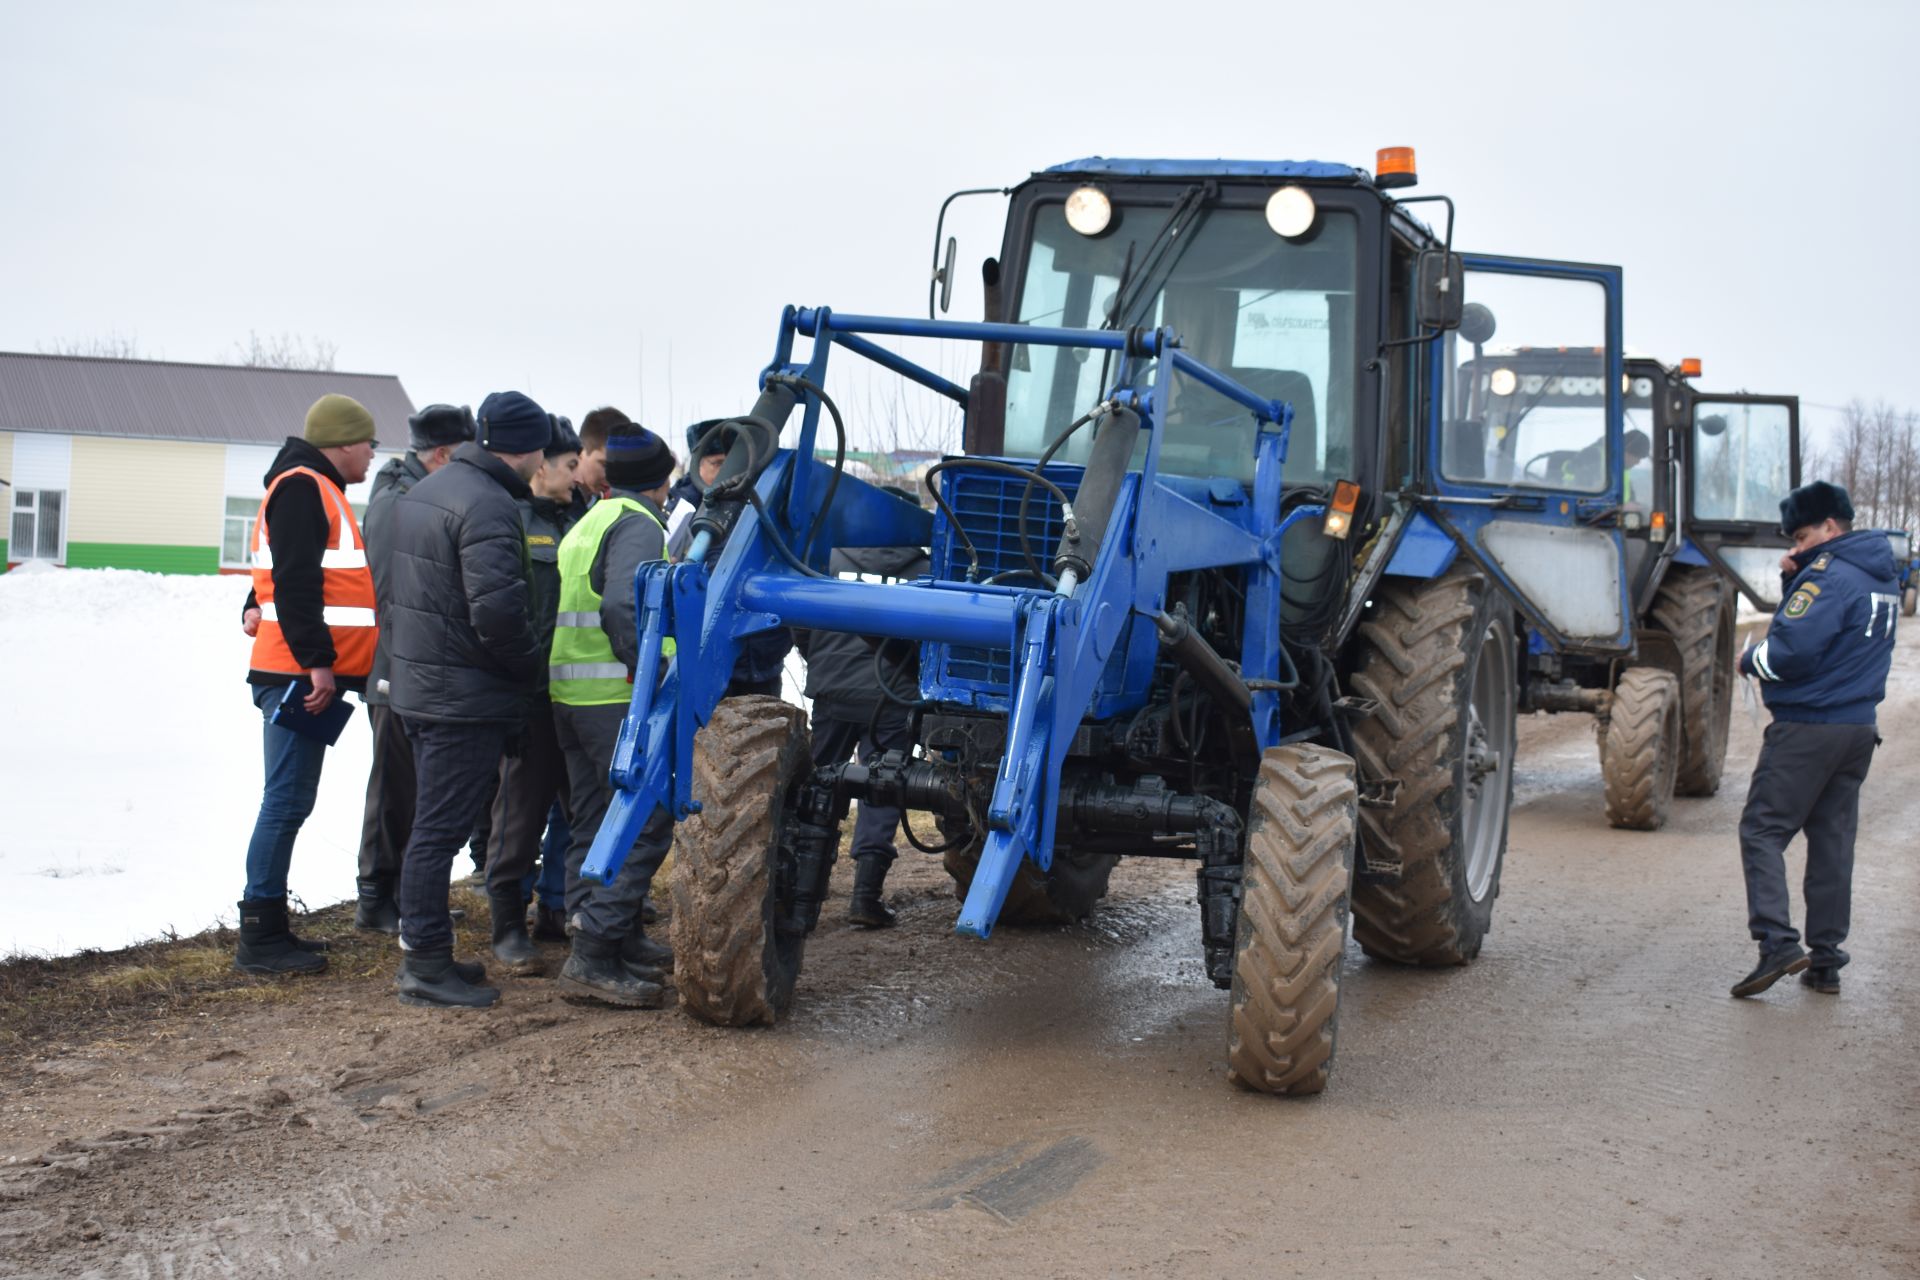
(347, 588)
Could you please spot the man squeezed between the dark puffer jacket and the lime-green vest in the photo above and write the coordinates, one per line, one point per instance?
(533, 780)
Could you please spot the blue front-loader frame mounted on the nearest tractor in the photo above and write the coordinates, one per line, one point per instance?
(1061, 644)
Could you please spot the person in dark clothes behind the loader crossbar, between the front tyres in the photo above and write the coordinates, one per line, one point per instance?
(855, 713)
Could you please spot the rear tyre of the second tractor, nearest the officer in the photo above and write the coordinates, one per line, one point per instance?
(1696, 607)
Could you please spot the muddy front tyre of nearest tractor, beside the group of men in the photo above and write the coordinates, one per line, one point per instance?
(731, 962)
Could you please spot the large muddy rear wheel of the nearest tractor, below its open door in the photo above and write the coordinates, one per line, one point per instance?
(1439, 659)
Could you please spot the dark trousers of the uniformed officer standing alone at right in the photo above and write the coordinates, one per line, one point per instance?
(1808, 780)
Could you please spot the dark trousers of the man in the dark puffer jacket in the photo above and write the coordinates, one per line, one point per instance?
(452, 765)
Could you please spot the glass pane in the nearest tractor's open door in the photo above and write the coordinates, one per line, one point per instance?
(1522, 415)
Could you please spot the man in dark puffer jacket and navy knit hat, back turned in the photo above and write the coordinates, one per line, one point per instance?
(466, 667)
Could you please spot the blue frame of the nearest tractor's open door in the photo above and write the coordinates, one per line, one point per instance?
(1466, 508)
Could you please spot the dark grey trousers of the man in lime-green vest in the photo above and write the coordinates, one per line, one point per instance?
(604, 911)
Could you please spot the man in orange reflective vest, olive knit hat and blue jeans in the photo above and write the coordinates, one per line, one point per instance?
(312, 623)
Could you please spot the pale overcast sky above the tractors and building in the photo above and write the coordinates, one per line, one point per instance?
(613, 202)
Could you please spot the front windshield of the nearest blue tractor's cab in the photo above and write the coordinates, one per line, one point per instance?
(1276, 316)
